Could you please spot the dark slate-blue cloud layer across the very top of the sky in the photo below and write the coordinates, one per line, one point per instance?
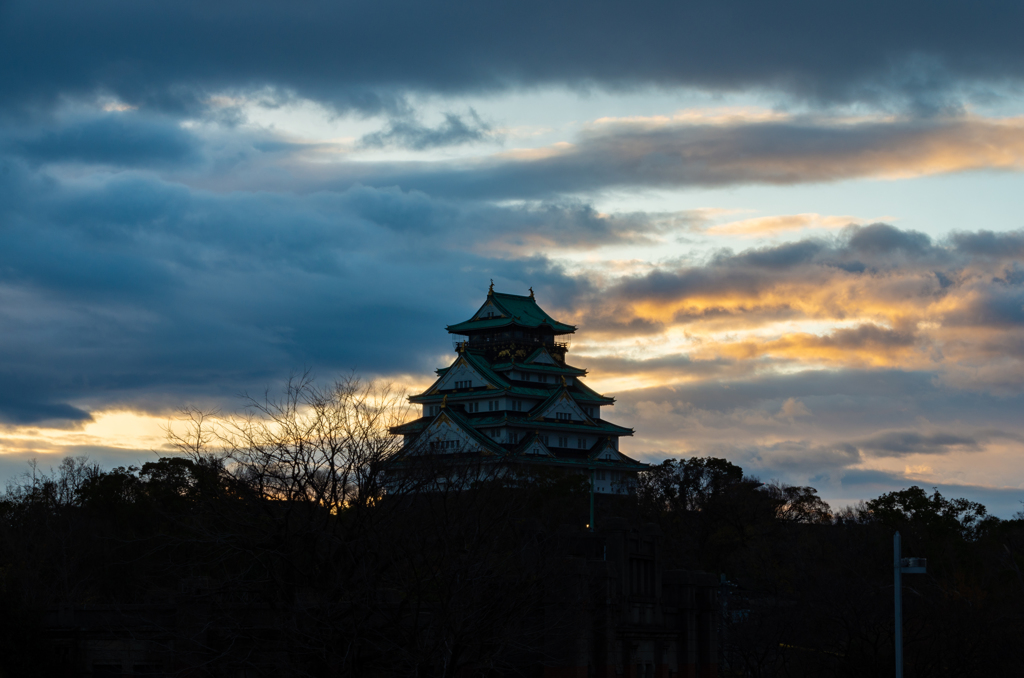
(369, 55)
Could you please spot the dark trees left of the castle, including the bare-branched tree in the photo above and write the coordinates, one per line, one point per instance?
(276, 544)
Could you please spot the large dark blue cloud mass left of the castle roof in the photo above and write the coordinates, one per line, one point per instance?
(130, 290)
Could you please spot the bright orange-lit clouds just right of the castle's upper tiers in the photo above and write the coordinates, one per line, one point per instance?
(878, 299)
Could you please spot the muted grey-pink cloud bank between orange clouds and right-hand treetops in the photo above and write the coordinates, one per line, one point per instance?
(865, 433)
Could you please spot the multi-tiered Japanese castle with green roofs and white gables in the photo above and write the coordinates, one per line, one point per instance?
(509, 400)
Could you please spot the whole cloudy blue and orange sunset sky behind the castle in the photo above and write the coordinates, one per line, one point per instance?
(790, 233)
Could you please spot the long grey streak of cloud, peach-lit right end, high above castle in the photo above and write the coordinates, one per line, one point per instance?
(653, 154)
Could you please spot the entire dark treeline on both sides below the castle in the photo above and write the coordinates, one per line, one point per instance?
(281, 544)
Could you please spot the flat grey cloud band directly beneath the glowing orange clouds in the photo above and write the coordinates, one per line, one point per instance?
(845, 407)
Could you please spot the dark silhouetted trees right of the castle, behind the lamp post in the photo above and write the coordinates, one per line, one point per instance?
(810, 591)
